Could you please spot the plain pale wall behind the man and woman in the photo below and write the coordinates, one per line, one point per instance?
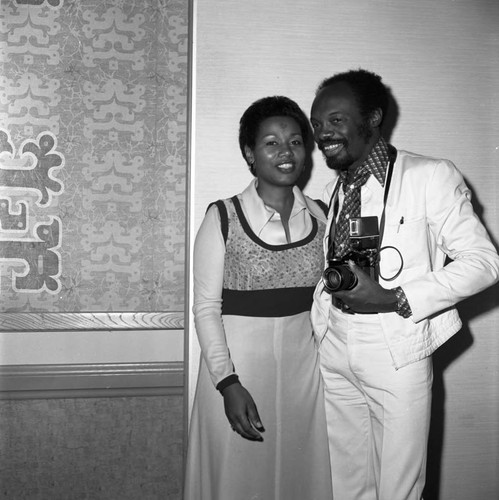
(440, 59)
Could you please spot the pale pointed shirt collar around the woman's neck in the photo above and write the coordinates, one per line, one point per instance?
(260, 213)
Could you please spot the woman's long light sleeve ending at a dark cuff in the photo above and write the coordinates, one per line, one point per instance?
(209, 254)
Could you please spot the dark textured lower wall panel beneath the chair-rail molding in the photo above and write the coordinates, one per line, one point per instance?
(91, 449)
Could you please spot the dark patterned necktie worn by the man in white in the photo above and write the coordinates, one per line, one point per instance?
(351, 208)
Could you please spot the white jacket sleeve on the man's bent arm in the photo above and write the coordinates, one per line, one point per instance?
(458, 232)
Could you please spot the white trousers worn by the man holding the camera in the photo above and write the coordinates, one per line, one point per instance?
(377, 417)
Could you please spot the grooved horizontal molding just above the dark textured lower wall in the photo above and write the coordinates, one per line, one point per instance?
(91, 380)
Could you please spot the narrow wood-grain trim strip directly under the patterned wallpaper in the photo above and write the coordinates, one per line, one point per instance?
(23, 322)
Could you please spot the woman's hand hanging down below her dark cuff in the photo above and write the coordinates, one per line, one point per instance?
(242, 413)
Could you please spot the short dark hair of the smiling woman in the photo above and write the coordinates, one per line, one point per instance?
(264, 108)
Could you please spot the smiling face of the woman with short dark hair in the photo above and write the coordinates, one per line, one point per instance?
(279, 154)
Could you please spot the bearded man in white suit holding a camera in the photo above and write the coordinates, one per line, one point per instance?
(403, 247)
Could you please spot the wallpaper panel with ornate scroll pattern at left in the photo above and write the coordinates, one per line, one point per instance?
(93, 110)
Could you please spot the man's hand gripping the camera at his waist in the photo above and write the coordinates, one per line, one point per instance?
(367, 296)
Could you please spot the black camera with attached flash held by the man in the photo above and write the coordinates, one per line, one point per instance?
(364, 241)
